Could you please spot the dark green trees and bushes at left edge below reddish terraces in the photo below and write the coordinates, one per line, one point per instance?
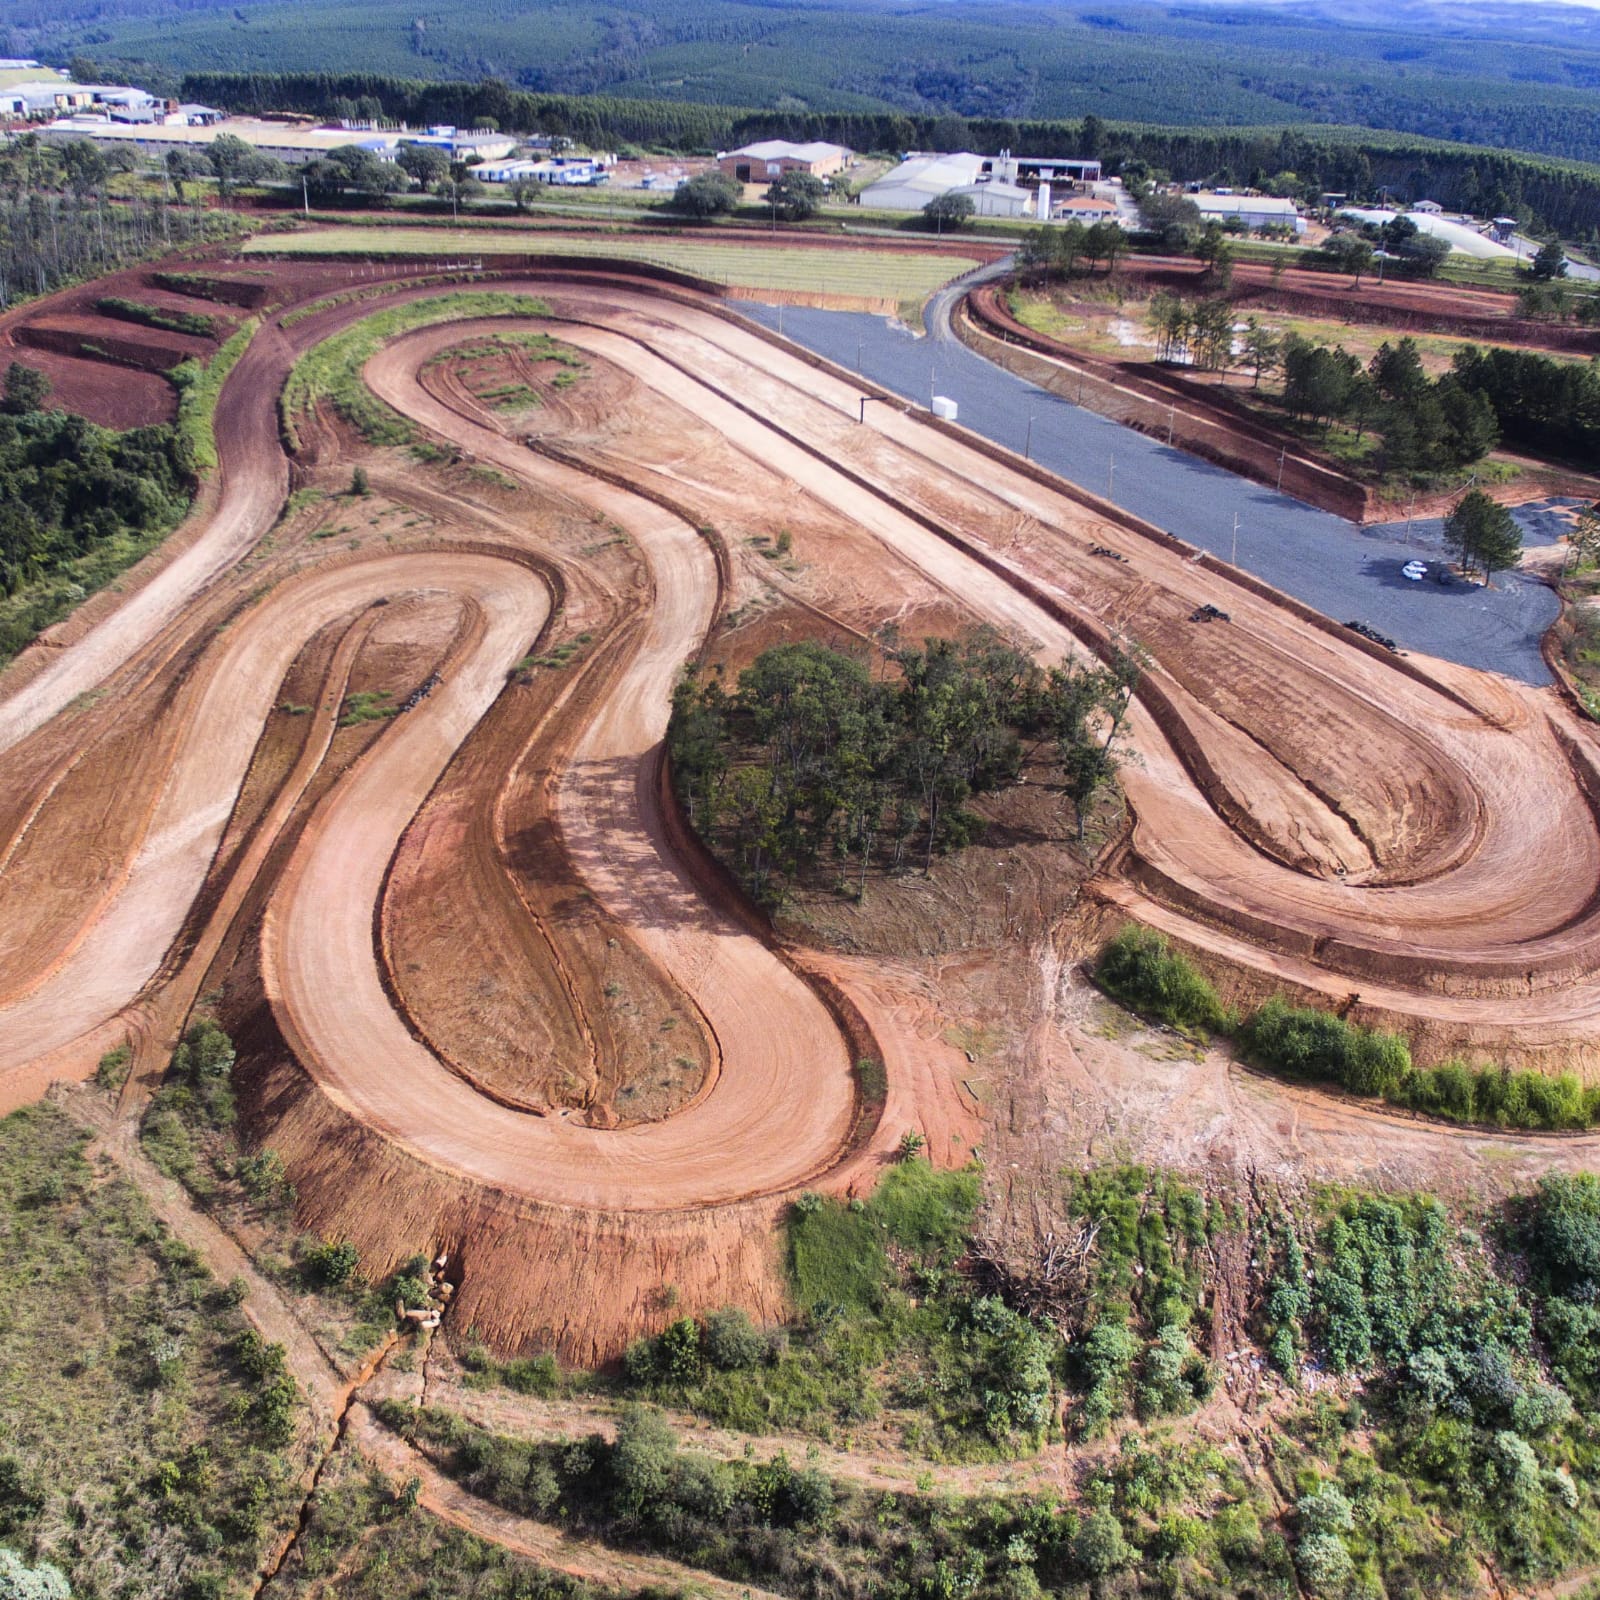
(79, 503)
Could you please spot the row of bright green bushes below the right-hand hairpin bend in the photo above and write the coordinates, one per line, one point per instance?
(1143, 972)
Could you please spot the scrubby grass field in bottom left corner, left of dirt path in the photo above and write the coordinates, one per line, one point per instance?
(148, 1447)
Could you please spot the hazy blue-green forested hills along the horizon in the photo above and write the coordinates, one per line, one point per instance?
(974, 58)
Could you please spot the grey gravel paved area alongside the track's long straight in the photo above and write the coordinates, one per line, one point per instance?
(1346, 572)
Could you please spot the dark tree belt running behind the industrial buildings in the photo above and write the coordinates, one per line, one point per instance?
(1564, 196)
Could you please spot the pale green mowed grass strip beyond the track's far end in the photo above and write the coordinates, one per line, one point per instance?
(873, 274)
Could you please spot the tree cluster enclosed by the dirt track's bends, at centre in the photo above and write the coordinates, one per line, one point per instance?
(815, 759)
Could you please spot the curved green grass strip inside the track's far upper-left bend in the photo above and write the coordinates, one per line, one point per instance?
(334, 370)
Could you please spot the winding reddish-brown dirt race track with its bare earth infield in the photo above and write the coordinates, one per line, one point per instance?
(487, 994)
